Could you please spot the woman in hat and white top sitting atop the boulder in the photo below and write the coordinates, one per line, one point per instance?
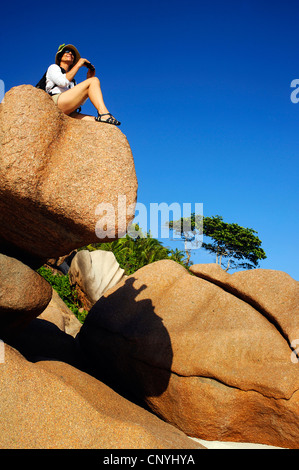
(67, 94)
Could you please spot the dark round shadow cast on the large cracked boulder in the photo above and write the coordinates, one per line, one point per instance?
(126, 345)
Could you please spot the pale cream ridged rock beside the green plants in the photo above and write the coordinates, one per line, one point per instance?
(93, 273)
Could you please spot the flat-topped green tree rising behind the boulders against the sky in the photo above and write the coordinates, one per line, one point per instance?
(238, 246)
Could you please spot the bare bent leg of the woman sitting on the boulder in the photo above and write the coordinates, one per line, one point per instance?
(90, 88)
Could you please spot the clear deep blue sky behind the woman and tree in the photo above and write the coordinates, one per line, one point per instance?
(203, 92)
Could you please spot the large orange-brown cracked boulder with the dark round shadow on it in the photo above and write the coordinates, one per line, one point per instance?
(202, 358)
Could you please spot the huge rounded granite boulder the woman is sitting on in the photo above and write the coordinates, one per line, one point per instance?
(55, 171)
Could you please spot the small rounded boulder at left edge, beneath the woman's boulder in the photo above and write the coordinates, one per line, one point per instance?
(24, 295)
